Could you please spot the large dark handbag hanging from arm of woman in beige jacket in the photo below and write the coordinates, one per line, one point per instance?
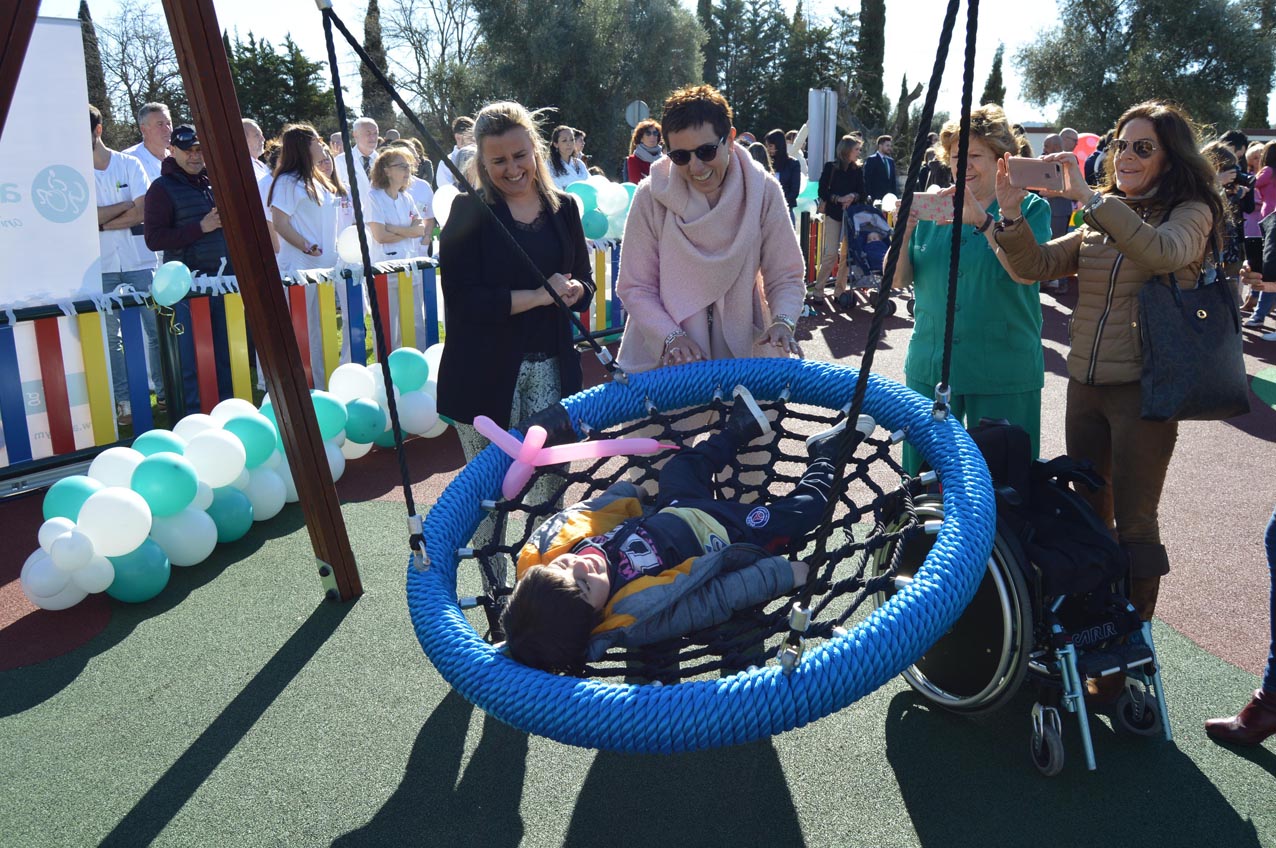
(1194, 365)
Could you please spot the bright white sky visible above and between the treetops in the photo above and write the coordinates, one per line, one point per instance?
(912, 36)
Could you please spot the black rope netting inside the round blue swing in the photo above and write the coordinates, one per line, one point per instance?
(854, 560)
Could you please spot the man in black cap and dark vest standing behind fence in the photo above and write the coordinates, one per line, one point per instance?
(183, 223)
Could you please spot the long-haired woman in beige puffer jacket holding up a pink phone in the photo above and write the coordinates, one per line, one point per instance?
(1154, 216)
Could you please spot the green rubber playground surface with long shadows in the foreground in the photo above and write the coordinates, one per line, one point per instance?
(237, 710)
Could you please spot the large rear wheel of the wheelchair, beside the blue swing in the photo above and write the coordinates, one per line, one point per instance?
(981, 664)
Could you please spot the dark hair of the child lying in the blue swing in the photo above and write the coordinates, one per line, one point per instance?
(548, 623)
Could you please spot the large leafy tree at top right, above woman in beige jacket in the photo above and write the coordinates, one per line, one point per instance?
(1107, 55)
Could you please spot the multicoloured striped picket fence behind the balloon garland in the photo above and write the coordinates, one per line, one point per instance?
(56, 374)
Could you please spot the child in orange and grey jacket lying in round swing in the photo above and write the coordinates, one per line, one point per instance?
(602, 574)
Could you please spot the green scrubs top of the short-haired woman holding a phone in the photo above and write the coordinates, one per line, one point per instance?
(997, 331)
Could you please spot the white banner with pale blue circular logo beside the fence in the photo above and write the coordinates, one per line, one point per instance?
(49, 248)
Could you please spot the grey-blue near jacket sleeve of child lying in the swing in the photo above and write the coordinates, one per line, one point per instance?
(715, 603)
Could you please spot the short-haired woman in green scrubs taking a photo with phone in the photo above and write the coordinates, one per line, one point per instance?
(997, 365)
